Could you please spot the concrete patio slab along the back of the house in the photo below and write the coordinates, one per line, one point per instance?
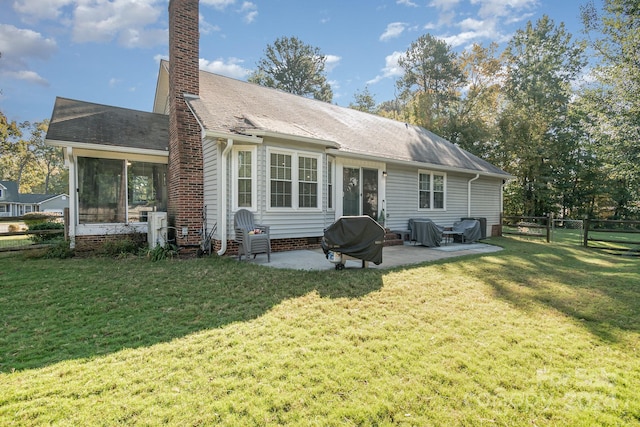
(392, 256)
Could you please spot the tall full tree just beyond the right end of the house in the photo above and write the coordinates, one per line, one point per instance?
(542, 63)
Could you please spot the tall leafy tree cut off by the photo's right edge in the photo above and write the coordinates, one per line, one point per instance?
(614, 100)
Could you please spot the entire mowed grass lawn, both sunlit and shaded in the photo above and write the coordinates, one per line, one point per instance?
(537, 334)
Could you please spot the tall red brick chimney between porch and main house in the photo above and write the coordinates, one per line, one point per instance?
(185, 178)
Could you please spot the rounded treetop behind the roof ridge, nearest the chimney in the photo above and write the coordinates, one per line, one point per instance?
(295, 67)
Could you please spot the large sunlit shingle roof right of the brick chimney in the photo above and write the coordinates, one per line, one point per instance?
(229, 105)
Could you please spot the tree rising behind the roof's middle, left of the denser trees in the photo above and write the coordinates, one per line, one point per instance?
(431, 82)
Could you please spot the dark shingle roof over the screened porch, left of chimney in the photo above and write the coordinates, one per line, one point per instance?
(85, 122)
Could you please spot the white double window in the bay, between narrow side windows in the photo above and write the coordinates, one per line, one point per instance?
(294, 179)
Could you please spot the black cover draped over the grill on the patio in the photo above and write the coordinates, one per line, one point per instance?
(360, 237)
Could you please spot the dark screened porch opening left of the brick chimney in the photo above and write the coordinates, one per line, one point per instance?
(119, 191)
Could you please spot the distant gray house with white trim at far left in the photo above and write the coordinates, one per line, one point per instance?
(12, 203)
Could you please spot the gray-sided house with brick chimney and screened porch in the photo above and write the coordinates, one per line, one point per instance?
(214, 145)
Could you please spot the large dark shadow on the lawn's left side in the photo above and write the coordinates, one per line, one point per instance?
(51, 311)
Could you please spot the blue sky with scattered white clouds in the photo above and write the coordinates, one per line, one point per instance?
(108, 51)
